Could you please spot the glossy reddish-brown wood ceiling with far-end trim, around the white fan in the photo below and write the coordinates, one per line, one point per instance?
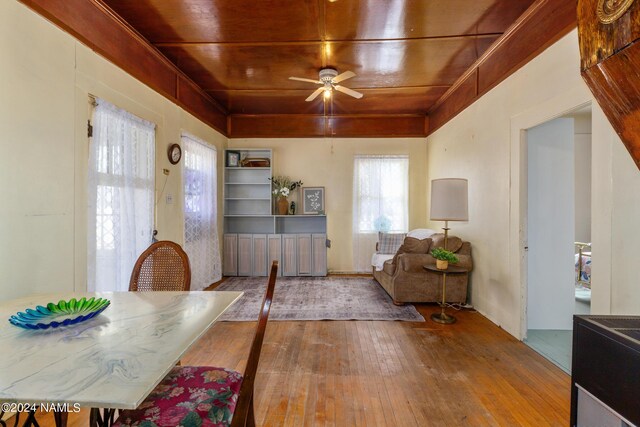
(406, 54)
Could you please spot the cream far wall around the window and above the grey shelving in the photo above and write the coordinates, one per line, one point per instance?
(328, 162)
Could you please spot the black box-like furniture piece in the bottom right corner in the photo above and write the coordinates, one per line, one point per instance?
(605, 368)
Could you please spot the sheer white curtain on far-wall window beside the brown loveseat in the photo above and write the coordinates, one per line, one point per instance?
(380, 203)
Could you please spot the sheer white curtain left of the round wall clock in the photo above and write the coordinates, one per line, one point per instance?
(121, 192)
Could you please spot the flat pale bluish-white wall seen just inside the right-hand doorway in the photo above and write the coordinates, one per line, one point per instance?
(550, 225)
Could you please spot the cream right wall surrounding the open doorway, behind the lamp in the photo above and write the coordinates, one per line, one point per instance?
(484, 144)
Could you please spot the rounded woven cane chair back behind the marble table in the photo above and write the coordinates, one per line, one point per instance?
(164, 266)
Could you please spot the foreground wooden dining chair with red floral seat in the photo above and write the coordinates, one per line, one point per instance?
(192, 393)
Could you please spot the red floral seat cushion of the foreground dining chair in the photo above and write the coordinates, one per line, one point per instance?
(188, 396)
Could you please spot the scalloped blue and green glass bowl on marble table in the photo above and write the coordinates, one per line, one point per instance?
(64, 313)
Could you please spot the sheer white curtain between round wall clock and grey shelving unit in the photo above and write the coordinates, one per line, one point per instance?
(200, 212)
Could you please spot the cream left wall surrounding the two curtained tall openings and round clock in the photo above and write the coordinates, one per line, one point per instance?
(46, 78)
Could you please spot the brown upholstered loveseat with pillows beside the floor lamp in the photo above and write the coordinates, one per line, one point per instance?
(405, 279)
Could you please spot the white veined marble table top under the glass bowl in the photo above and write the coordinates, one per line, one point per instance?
(111, 361)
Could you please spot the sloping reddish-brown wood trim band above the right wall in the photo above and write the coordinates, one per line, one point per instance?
(544, 23)
